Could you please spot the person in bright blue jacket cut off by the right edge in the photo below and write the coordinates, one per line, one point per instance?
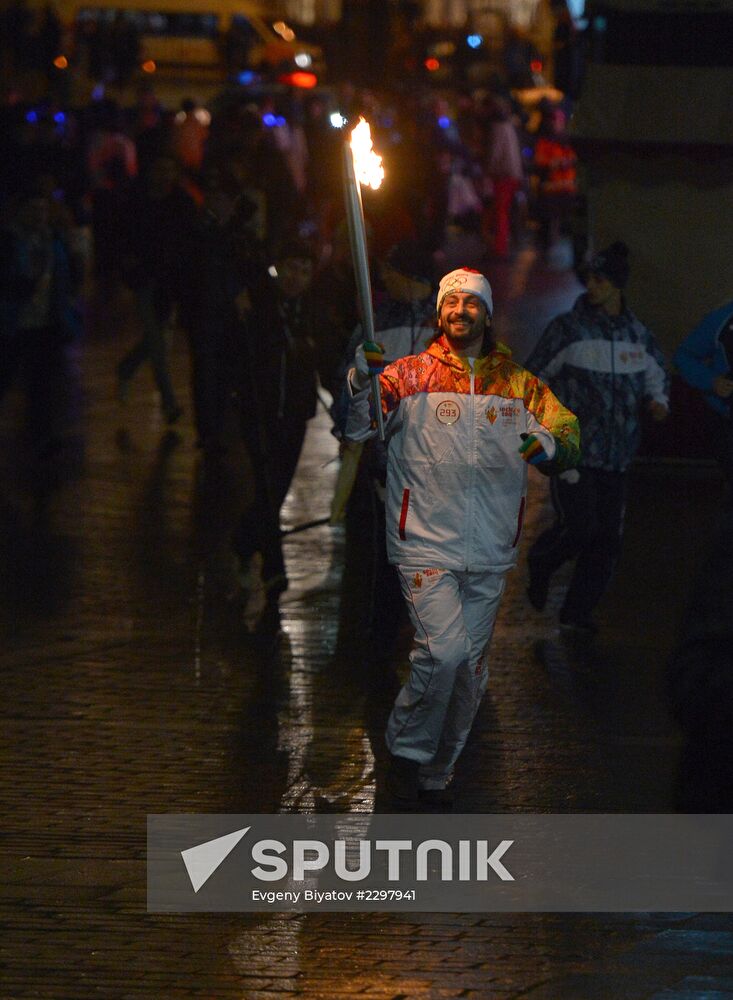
(704, 359)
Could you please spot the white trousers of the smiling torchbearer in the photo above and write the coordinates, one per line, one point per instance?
(453, 614)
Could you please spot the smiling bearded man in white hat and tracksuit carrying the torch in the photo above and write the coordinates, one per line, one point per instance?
(462, 422)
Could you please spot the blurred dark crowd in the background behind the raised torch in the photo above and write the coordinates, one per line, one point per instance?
(163, 201)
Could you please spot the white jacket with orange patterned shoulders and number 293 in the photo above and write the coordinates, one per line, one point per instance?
(456, 483)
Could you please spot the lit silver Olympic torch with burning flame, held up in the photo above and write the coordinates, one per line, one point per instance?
(362, 166)
